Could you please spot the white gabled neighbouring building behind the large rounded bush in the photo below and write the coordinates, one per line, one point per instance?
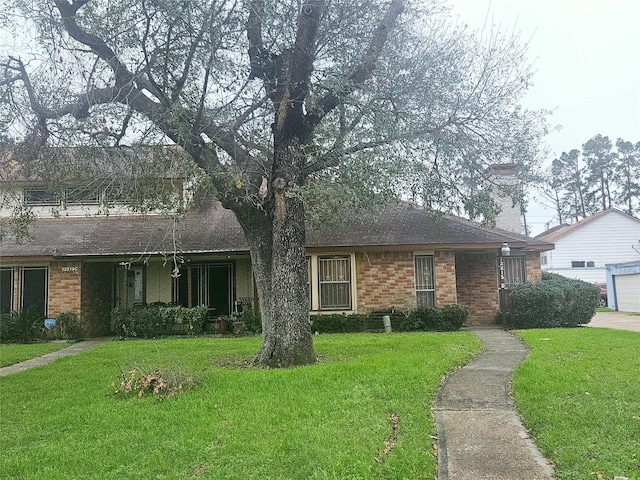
(584, 248)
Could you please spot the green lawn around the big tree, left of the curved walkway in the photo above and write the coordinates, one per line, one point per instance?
(328, 421)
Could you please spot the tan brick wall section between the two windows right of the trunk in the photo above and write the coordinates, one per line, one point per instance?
(385, 280)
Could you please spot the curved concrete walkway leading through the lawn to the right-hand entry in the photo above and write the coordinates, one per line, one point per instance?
(480, 436)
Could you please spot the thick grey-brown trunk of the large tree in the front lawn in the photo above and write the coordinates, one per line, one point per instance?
(277, 243)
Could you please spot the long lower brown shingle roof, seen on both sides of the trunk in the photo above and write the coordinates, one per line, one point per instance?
(212, 229)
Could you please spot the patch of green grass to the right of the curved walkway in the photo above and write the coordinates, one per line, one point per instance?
(579, 393)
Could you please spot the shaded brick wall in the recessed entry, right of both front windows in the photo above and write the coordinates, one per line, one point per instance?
(477, 279)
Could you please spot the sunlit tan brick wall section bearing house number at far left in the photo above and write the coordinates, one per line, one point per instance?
(65, 279)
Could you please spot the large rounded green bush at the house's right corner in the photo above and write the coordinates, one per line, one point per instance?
(556, 301)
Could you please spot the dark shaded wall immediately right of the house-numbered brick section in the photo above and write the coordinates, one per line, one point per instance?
(97, 298)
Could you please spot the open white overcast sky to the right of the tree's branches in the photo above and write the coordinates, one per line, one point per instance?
(587, 60)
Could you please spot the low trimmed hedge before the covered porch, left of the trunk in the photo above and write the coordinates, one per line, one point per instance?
(157, 321)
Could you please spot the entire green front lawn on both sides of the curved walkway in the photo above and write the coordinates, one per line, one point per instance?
(363, 412)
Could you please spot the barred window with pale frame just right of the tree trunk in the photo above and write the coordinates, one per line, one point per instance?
(334, 278)
